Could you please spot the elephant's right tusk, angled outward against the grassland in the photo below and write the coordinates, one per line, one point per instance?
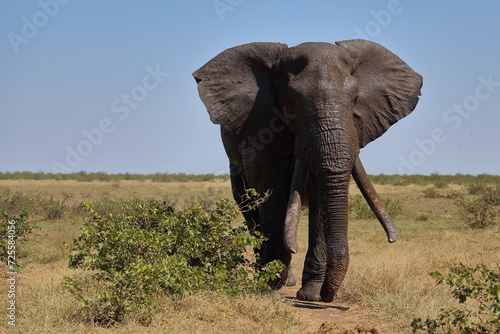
(371, 196)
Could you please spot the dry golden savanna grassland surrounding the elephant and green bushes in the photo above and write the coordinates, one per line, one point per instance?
(391, 281)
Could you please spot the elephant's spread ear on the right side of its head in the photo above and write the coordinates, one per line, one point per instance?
(388, 88)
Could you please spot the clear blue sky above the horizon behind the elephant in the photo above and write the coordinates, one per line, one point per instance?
(107, 86)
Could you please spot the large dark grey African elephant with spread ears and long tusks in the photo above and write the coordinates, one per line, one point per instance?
(293, 121)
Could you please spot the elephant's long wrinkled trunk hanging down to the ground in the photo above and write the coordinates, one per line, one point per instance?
(331, 166)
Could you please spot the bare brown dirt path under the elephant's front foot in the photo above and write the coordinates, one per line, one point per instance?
(335, 317)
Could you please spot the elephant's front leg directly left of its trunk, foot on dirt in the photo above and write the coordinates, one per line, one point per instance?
(315, 262)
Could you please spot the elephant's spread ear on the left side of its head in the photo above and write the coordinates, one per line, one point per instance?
(237, 81)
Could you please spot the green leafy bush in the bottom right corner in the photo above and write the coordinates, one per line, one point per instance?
(477, 283)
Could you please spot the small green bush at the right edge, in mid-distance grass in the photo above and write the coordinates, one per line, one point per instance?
(479, 212)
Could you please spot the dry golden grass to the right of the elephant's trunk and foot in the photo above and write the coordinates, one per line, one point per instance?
(394, 279)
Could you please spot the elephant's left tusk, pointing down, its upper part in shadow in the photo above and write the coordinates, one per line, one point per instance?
(294, 205)
